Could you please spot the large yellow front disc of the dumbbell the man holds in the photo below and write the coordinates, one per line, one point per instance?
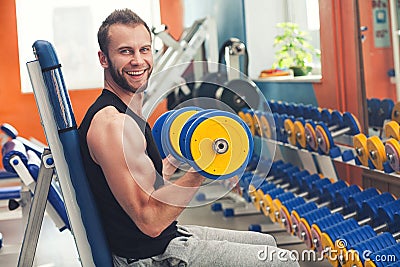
(202, 142)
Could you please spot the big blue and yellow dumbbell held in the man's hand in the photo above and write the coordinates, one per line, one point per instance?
(217, 144)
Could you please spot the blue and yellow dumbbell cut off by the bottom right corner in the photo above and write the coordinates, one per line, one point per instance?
(389, 256)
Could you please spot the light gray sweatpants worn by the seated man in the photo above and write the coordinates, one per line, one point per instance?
(218, 247)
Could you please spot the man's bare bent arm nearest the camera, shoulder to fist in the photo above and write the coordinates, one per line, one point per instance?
(117, 144)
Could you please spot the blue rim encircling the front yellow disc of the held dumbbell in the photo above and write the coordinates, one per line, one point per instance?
(205, 117)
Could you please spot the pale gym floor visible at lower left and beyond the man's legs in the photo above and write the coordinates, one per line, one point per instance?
(58, 249)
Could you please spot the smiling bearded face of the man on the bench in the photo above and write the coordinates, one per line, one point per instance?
(130, 59)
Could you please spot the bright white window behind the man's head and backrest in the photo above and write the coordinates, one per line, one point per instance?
(71, 26)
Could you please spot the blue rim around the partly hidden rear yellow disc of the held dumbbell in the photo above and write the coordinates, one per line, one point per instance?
(166, 131)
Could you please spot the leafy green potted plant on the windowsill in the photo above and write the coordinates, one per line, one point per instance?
(294, 49)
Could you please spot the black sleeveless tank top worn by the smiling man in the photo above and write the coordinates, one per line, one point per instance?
(124, 237)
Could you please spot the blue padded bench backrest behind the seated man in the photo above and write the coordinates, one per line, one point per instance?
(68, 135)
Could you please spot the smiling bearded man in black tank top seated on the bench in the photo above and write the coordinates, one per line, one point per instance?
(138, 205)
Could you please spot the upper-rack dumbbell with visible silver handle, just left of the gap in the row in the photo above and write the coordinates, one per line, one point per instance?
(325, 137)
